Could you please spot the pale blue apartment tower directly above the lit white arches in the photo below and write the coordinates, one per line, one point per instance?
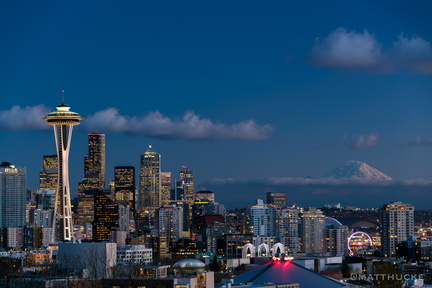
(262, 219)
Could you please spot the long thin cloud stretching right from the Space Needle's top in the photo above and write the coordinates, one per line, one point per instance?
(190, 126)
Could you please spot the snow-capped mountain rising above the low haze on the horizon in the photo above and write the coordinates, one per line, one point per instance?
(357, 170)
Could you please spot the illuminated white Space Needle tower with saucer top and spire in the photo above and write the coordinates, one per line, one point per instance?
(63, 121)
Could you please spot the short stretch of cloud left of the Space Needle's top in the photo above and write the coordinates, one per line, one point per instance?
(24, 118)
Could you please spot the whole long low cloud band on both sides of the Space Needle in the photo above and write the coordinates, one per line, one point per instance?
(154, 124)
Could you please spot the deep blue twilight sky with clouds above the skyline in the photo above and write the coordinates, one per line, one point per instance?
(232, 89)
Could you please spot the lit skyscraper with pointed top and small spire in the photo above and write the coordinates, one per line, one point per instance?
(150, 182)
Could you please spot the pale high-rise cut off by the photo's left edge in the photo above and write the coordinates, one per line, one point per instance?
(12, 196)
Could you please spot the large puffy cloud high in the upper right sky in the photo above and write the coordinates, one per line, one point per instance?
(361, 51)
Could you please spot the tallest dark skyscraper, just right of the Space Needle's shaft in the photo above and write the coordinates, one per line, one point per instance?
(94, 163)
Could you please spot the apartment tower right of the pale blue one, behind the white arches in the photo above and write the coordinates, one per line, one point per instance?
(286, 226)
